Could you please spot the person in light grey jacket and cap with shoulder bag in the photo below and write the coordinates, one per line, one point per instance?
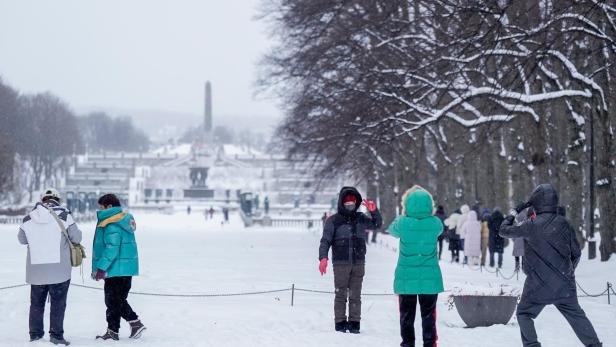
(48, 265)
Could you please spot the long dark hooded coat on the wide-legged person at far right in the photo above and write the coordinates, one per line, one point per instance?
(551, 251)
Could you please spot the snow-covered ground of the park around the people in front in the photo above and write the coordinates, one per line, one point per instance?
(186, 255)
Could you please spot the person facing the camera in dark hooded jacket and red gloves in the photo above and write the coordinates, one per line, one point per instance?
(345, 233)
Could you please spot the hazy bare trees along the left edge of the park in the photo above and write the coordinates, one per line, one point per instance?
(38, 132)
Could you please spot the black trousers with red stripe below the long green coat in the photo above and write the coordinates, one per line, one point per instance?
(408, 307)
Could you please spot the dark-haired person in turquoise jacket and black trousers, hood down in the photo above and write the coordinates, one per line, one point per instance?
(115, 259)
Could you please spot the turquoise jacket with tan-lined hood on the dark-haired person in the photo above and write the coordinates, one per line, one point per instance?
(115, 247)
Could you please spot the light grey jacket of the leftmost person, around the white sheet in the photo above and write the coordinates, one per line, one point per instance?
(40, 274)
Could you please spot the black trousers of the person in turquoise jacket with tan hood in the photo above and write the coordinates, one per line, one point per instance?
(116, 293)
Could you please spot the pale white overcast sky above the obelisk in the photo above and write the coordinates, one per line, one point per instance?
(137, 56)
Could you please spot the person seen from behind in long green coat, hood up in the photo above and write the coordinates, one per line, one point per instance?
(418, 275)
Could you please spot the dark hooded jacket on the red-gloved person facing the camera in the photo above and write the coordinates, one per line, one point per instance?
(345, 231)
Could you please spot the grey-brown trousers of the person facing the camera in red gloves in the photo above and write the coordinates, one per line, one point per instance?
(348, 280)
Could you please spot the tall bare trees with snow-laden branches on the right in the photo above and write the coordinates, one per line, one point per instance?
(477, 100)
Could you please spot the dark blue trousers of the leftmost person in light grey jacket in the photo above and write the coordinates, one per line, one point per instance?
(38, 295)
